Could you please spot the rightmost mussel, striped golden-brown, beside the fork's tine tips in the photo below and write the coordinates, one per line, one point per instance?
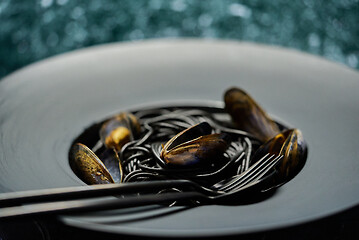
(292, 146)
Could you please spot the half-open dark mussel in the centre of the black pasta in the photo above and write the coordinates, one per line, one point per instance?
(195, 146)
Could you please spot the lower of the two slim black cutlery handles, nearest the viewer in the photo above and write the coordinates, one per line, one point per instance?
(78, 206)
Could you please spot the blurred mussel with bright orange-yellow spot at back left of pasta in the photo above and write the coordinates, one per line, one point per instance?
(119, 130)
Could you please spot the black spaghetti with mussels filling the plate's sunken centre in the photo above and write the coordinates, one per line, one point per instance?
(239, 147)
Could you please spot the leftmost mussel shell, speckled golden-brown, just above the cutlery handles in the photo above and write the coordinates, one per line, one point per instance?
(87, 166)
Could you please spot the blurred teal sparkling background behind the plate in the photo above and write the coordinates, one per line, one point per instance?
(34, 30)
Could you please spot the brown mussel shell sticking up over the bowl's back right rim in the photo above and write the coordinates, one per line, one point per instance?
(247, 115)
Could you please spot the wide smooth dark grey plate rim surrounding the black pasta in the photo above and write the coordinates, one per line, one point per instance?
(46, 105)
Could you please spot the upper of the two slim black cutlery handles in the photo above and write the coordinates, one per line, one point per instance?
(81, 192)
